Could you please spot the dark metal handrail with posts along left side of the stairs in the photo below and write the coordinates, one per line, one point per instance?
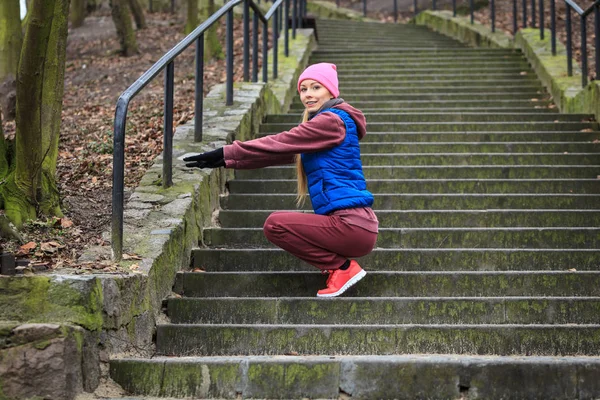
(166, 63)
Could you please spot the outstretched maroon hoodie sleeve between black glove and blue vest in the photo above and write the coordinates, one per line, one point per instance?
(323, 132)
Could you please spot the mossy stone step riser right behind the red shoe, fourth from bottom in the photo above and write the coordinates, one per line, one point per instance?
(392, 284)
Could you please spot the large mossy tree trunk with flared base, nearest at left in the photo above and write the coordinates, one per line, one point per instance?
(30, 190)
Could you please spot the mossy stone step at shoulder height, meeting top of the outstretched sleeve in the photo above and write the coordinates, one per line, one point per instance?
(458, 127)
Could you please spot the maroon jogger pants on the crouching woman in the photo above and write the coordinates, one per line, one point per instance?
(320, 240)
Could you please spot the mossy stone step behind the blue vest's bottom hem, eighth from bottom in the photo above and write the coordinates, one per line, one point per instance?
(419, 201)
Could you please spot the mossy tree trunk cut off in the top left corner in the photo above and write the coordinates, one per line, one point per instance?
(11, 38)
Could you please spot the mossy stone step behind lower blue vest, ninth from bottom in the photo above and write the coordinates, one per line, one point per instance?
(381, 186)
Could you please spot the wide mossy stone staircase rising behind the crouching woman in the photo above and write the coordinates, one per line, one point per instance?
(485, 280)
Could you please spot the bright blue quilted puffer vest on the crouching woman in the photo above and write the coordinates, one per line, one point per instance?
(335, 176)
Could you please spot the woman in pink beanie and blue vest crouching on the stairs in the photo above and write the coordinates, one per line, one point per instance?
(325, 148)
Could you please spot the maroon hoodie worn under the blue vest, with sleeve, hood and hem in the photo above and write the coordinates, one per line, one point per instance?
(324, 131)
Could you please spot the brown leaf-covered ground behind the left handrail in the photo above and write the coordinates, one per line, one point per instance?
(95, 77)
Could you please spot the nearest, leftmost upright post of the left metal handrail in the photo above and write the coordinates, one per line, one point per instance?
(118, 180)
